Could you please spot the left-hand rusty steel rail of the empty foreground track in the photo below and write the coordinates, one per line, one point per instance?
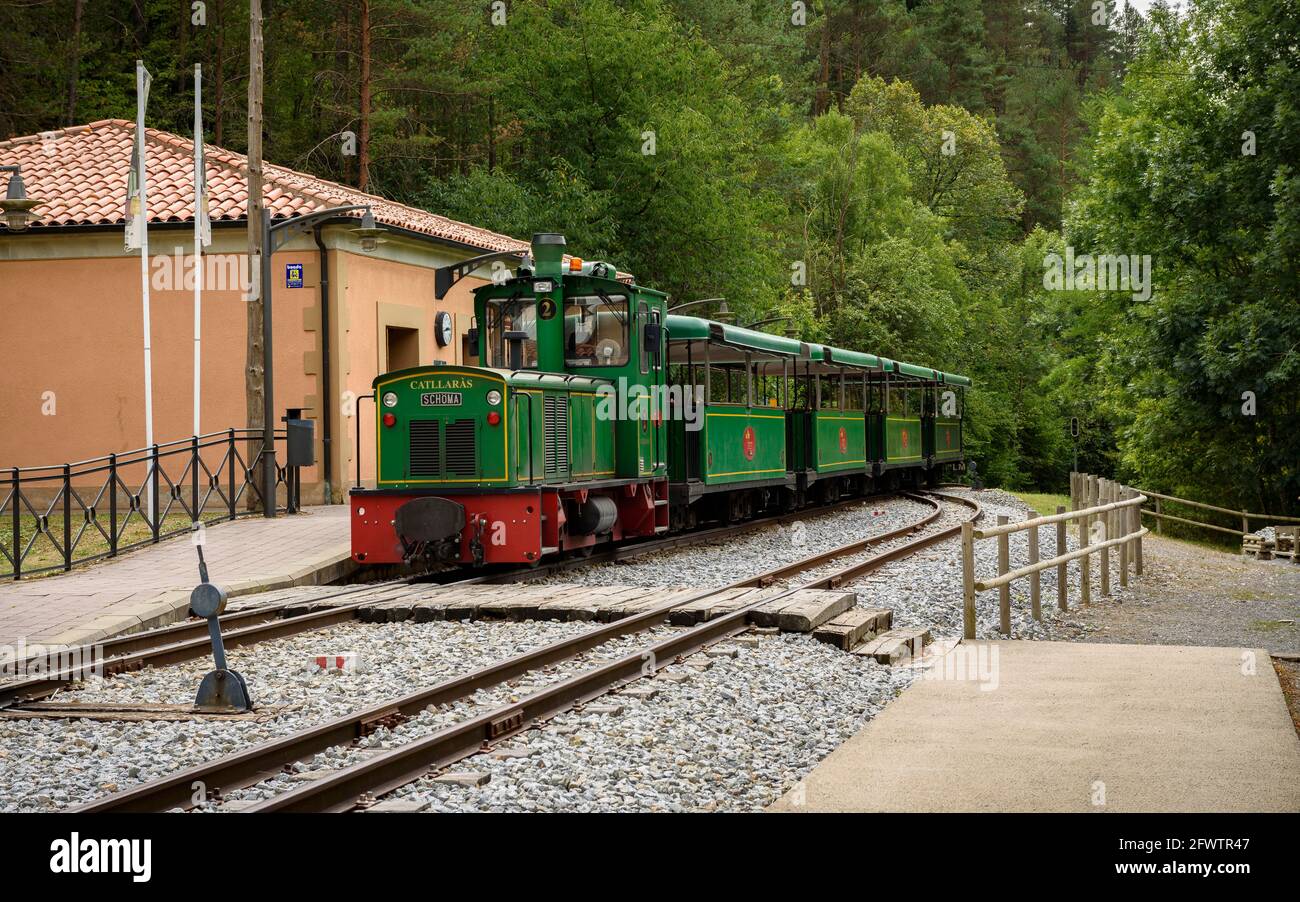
(254, 765)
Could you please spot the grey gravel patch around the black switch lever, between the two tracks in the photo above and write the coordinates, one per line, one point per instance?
(50, 765)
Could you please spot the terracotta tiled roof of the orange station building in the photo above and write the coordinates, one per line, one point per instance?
(81, 175)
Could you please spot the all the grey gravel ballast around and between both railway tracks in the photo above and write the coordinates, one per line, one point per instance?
(733, 736)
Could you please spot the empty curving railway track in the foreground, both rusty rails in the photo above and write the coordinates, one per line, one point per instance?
(356, 786)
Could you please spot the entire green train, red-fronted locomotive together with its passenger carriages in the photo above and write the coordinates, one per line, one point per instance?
(597, 417)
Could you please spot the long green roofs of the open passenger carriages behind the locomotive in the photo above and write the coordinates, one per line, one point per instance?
(817, 358)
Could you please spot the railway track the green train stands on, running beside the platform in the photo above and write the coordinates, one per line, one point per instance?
(189, 640)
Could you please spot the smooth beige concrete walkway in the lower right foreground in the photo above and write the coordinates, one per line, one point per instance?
(1073, 727)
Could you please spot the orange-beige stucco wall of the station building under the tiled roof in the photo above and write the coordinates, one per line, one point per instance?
(71, 324)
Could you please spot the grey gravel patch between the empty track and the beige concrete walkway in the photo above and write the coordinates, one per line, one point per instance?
(731, 738)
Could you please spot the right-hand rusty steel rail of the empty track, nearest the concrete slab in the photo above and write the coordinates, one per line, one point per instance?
(348, 788)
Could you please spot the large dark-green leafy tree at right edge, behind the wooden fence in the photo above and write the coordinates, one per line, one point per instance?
(1202, 380)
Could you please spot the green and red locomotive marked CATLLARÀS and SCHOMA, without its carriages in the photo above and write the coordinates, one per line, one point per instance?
(536, 452)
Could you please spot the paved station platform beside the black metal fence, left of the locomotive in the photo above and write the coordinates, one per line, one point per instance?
(151, 587)
